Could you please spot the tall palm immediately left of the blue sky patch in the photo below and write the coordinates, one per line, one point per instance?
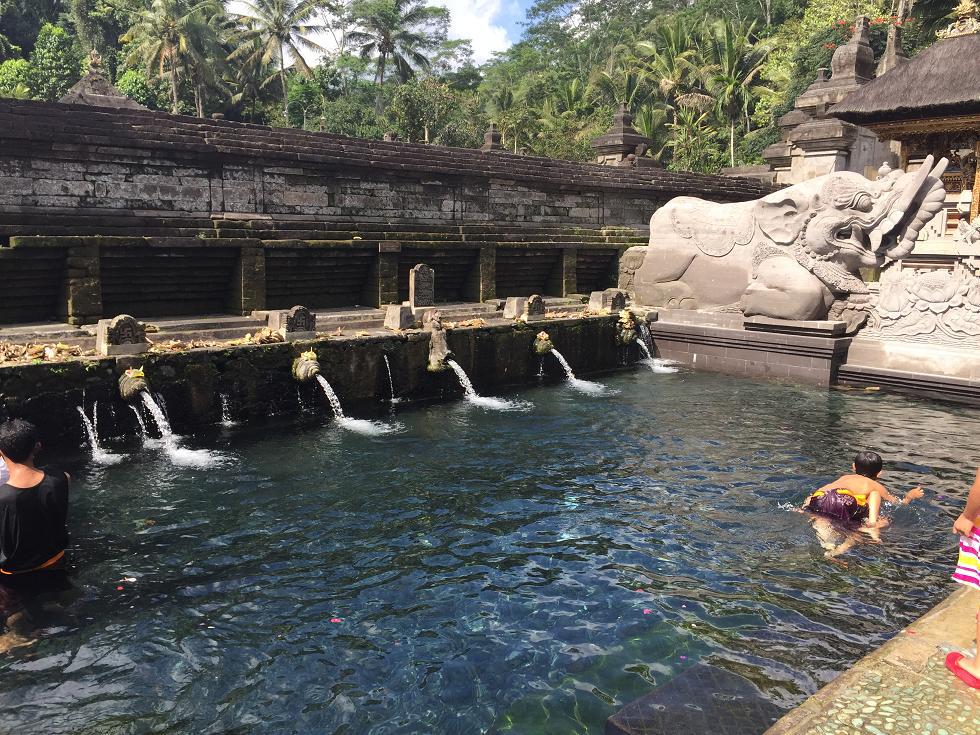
(395, 31)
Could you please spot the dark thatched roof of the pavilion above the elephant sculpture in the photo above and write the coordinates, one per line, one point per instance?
(942, 80)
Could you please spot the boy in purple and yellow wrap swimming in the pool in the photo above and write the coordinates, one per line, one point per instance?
(853, 502)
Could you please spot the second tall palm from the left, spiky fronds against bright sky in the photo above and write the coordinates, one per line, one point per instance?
(273, 27)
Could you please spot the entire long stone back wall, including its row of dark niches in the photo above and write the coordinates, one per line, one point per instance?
(105, 210)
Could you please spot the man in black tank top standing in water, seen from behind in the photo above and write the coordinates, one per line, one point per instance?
(33, 529)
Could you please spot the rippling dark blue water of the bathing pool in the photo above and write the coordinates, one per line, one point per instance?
(487, 571)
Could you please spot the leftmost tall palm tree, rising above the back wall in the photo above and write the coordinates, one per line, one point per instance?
(168, 37)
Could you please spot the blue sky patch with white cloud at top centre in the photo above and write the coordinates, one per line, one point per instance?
(491, 25)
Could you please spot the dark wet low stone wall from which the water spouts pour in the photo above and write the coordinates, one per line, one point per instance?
(257, 383)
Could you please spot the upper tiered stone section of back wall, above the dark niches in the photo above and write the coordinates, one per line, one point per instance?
(102, 167)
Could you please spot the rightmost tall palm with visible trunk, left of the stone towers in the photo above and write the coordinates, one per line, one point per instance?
(734, 64)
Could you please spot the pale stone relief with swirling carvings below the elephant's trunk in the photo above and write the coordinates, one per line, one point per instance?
(929, 306)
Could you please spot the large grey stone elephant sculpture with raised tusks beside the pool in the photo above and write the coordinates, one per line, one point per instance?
(791, 254)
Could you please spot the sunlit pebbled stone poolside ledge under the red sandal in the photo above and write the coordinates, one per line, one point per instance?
(902, 688)
